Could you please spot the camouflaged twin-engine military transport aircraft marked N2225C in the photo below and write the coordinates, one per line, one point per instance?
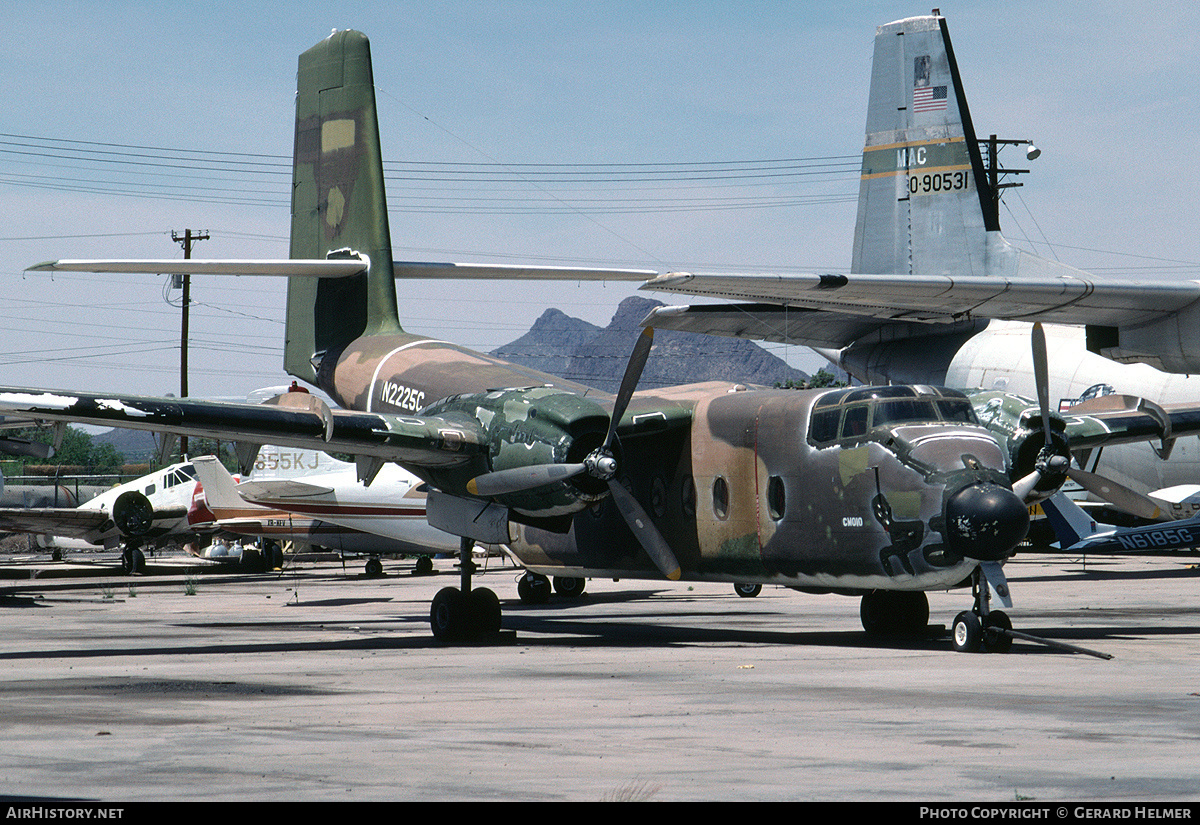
(877, 492)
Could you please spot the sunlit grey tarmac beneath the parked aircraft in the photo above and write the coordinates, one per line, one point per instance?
(322, 685)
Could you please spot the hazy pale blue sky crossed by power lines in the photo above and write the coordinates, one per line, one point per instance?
(1107, 91)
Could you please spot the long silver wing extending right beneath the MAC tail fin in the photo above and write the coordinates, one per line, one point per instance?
(861, 304)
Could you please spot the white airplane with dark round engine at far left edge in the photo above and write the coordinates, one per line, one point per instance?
(148, 510)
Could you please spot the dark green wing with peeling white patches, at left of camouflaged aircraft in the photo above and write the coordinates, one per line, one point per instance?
(415, 441)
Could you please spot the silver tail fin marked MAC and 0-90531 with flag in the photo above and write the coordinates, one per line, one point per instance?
(926, 204)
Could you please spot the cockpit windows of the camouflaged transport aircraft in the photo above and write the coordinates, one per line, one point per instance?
(850, 414)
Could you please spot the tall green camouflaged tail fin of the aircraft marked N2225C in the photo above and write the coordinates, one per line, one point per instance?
(338, 203)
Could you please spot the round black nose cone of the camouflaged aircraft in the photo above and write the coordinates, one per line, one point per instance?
(986, 522)
